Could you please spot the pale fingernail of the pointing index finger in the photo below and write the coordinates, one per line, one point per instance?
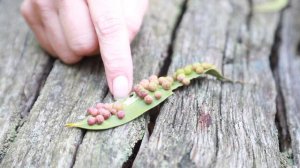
(120, 87)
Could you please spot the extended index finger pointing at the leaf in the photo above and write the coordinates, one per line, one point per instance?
(110, 25)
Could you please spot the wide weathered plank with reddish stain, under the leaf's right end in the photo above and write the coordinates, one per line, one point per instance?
(213, 124)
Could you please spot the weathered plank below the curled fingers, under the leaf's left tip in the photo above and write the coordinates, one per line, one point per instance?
(43, 141)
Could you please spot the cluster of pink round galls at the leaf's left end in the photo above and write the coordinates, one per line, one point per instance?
(102, 111)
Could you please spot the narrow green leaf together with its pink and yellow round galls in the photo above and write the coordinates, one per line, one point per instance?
(146, 95)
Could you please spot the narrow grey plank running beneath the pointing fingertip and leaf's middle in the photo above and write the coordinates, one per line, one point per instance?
(112, 148)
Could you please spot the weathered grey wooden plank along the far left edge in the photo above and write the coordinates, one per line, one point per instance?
(23, 67)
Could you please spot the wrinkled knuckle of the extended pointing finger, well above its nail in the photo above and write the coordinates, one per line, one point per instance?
(108, 25)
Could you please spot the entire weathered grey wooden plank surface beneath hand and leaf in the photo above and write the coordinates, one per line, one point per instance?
(208, 124)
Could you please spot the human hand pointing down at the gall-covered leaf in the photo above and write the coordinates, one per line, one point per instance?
(73, 29)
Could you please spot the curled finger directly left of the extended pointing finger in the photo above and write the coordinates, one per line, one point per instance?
(78, 27)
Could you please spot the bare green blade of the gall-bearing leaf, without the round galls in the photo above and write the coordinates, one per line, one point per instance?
(135, 106)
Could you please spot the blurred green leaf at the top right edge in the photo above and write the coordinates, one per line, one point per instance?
(271, 6)
